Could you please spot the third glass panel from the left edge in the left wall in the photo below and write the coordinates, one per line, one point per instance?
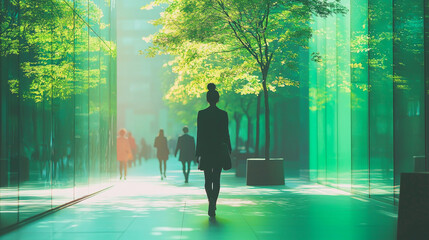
(63, 102)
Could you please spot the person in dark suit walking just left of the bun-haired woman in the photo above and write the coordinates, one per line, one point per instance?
(186, 145)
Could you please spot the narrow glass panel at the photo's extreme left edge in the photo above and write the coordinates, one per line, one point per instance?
(9, 115)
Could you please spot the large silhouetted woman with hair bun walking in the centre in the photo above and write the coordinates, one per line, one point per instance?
(212, 138)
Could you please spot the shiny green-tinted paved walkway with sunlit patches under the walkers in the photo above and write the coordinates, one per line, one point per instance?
(144, 207)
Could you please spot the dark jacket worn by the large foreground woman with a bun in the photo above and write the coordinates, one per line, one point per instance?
(212, 131)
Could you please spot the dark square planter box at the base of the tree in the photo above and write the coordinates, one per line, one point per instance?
(265, 173)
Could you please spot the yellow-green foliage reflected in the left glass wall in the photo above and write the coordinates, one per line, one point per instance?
(46, 39)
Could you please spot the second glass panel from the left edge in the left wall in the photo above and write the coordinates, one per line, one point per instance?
(35, 119)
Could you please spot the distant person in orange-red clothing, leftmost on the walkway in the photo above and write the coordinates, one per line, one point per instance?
(123, 152)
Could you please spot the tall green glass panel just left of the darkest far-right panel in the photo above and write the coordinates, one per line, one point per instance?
(381, 99)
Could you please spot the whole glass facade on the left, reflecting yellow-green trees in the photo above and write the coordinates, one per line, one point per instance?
(58, 103)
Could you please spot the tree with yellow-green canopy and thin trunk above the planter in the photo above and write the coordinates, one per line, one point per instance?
(234, 44)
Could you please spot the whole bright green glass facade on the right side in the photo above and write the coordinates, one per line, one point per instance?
(369, 96)
